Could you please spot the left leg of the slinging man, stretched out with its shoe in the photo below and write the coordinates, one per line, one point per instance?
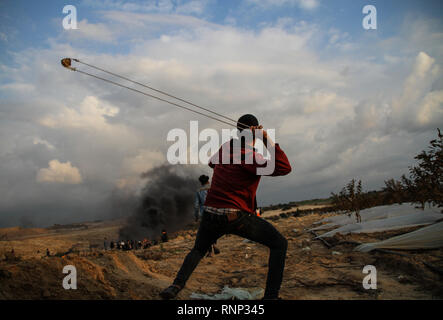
(207, 234)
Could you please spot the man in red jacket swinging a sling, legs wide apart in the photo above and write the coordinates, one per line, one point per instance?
(230, 204)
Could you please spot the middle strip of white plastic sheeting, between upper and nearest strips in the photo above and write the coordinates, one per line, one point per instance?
(410, 220)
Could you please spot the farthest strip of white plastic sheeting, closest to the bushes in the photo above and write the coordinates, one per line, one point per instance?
(375, 213)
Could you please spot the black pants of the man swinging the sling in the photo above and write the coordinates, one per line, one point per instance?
(247, 226)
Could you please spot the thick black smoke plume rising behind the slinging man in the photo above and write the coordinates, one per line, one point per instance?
(165, 202)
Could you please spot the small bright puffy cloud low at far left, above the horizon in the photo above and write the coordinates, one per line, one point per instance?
(59, 172)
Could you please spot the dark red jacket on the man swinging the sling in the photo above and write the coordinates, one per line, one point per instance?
(235, 185)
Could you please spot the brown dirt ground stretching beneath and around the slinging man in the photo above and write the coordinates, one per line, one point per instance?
(312, 271)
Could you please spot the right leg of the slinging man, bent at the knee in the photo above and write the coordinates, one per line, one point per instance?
(261, 231)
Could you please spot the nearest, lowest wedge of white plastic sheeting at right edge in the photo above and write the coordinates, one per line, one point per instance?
(425, 238)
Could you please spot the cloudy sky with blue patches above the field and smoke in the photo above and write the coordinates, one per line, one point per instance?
(345, 102)
